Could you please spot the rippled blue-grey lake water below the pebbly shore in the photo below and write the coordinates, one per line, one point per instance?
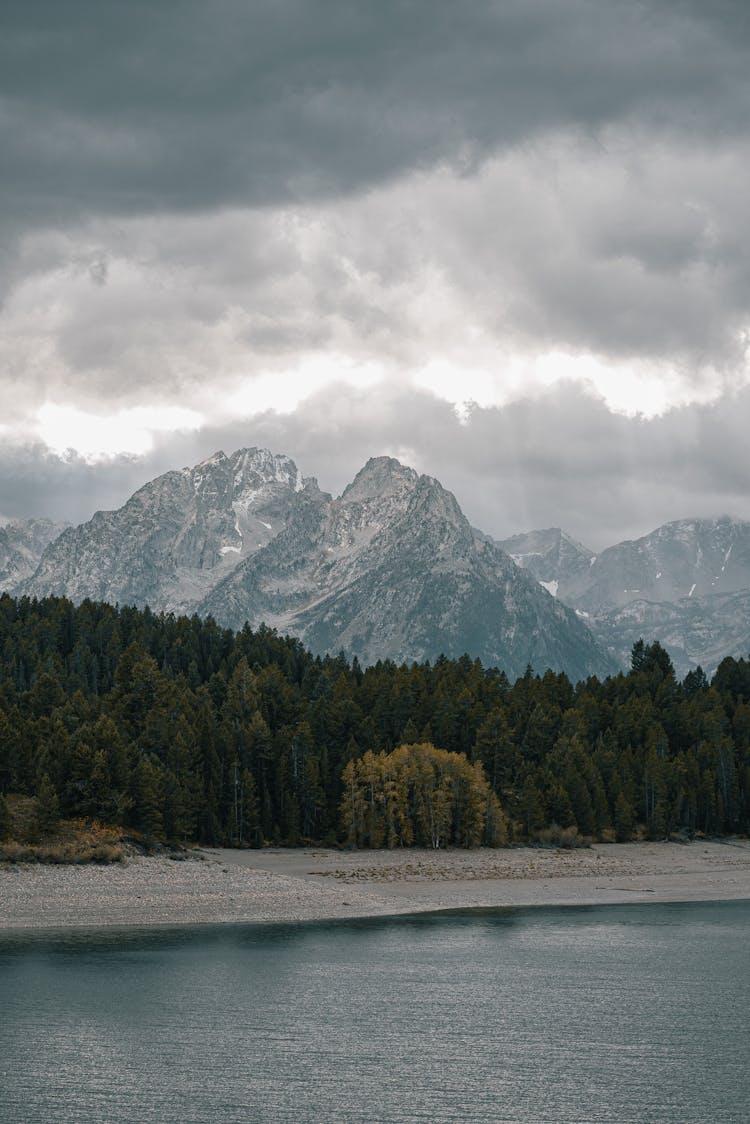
(622, 1013)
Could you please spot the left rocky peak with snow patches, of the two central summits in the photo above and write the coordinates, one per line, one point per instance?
(177, 537)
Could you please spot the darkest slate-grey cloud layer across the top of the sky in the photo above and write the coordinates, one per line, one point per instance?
(133, 108)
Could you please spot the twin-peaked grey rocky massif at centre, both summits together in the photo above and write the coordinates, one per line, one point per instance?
(390, 570)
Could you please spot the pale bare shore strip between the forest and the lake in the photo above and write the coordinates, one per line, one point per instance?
(311, 884)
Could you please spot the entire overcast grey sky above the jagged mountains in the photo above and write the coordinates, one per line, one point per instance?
(505, 241)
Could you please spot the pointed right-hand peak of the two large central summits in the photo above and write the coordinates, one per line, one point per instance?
(401, 575)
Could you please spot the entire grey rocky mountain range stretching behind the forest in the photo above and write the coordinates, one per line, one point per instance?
(392, 569)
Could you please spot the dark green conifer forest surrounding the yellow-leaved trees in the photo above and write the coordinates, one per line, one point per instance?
(182, 730)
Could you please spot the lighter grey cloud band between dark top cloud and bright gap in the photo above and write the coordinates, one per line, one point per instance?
(634, 255)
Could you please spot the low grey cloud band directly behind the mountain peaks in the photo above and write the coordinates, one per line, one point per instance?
(564, 460)
